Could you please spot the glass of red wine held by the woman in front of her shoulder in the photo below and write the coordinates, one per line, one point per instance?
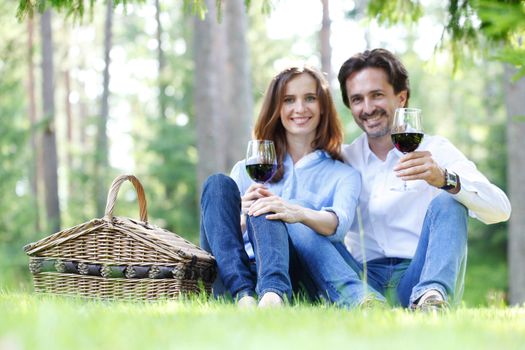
(261, 161)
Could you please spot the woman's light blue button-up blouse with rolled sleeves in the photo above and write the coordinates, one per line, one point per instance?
(317, 182)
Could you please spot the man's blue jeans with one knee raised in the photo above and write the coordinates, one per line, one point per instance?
(438, 263)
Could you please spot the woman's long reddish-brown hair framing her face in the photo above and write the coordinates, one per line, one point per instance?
(329, 134)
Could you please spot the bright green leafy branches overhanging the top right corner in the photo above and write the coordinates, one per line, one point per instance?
(473, 26)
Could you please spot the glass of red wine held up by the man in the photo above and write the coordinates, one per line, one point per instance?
(407, 131)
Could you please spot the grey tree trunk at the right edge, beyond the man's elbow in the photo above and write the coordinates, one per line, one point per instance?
(515, 103)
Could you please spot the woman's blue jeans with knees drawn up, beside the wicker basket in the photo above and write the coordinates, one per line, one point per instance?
(275, 259)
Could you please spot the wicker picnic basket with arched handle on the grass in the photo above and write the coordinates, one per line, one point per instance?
(119, 258)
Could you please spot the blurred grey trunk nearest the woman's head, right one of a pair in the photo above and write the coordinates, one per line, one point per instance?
(240, 98)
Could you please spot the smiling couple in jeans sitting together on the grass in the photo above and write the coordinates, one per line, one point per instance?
(340, 231)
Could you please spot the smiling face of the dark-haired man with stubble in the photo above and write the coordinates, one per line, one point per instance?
(373, 101)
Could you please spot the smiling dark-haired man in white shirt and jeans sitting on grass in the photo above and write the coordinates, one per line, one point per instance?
(412, 243)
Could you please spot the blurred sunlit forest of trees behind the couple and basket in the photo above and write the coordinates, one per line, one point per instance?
(155, 89)
